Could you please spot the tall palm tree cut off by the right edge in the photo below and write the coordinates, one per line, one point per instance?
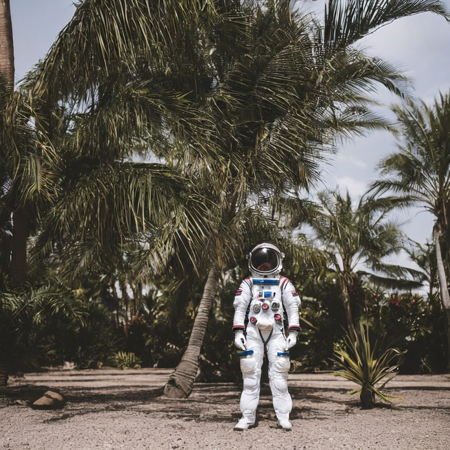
(420, 172)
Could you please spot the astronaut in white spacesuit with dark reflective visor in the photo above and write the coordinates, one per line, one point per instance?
(262, 299)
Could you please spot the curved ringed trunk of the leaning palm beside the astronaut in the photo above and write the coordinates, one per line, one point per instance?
(181, 381)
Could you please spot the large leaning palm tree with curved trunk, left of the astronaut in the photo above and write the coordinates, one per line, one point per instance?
(268, 97)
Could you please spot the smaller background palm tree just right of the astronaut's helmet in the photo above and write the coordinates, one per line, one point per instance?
(357, 236)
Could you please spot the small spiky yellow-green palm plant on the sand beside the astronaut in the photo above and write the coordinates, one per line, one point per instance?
(368, 363)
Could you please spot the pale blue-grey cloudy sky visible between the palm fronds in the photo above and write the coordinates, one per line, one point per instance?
(418, 45)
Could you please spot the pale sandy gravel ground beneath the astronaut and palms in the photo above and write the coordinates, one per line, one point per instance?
(125, 410)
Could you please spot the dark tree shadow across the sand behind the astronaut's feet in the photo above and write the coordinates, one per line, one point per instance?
(209, 402)
